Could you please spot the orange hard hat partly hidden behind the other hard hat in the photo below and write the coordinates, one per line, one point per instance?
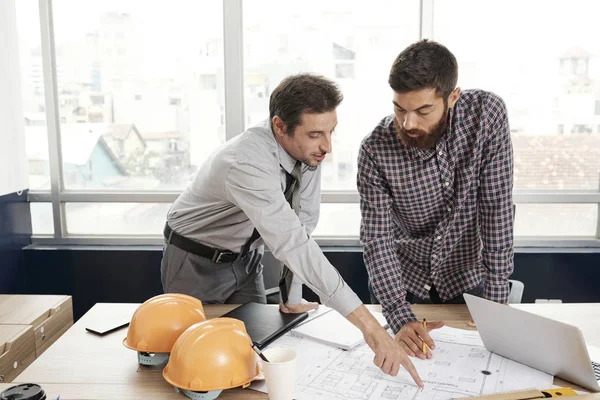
(158, 322)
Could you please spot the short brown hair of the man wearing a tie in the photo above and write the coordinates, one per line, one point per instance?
(303, 93)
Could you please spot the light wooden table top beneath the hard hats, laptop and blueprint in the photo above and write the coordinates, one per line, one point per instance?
(81, 365)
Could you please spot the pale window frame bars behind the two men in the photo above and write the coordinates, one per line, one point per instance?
(234, 125)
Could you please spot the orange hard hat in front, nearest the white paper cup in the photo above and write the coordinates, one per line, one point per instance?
(213, 355)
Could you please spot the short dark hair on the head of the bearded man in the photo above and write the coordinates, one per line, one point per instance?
(424, 65)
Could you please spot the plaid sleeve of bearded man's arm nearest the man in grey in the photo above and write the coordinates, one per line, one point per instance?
(376, 235)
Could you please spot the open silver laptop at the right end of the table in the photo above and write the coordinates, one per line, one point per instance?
(541, 343)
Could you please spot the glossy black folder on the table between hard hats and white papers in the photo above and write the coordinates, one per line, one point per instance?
(264, 322)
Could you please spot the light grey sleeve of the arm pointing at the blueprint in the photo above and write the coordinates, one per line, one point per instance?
(255, 189)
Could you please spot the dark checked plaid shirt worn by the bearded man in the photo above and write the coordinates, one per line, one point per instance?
(440, 216)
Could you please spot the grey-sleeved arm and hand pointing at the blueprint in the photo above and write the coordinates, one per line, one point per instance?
(255, 189)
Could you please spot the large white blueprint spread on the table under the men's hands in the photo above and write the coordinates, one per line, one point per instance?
(460, 367)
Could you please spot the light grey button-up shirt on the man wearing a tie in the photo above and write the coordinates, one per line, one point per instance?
(240, 187)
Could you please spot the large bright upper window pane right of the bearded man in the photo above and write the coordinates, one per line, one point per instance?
(551, 153)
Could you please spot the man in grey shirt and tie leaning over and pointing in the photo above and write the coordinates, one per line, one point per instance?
(264, 186)
